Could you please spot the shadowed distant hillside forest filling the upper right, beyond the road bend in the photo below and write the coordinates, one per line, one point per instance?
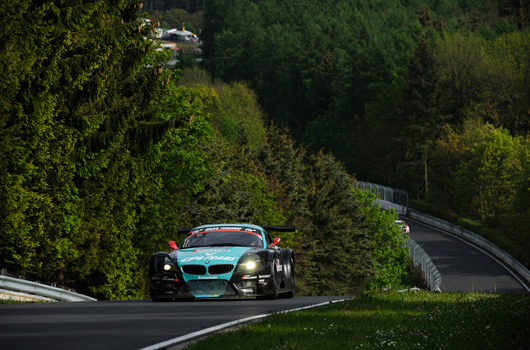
(432, 97)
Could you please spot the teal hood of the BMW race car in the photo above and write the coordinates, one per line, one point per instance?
(210, 255)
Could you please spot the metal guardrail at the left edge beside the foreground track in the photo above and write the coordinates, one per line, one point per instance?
(43, 290)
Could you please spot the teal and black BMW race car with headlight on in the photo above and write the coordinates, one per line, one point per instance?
(226, 260)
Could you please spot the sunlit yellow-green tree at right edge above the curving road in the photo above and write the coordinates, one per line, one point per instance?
(482, 171)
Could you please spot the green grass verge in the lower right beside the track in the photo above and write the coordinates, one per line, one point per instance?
(392, 320)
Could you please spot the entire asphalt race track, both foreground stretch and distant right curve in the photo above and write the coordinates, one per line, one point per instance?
(137, 324)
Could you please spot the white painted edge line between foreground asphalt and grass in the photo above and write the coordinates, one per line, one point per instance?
(208, 331)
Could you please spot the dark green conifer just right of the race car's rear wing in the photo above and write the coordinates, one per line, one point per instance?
(336, 246)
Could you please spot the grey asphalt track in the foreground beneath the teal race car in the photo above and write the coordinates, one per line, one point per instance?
(124, 325)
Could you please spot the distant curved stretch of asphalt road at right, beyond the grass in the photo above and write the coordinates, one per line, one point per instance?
(463, 267)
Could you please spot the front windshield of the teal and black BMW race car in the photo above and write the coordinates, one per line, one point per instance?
(220, 237)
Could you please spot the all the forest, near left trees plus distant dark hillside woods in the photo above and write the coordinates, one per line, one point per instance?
(104, 152)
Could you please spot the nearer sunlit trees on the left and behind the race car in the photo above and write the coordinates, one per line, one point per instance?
(105, 154)
